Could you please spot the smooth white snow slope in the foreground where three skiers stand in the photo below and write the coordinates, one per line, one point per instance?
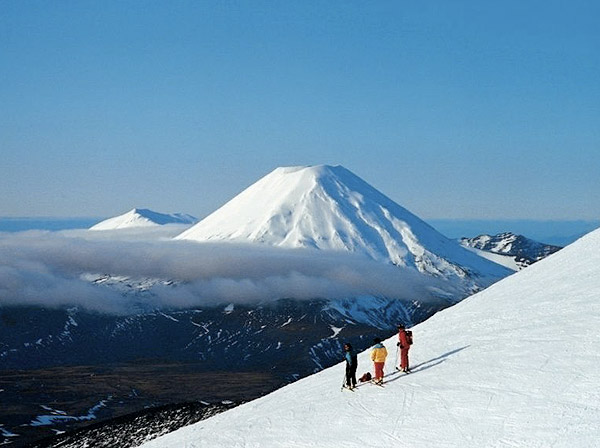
(515, 365)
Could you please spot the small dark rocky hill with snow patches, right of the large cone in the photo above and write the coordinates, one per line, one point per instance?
(523, 251)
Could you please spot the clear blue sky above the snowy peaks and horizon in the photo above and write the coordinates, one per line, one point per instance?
(454, 109)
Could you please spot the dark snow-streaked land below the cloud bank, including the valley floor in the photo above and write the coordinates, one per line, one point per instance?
(62, 370)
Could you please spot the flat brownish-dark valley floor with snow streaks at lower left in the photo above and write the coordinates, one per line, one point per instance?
(44, 402)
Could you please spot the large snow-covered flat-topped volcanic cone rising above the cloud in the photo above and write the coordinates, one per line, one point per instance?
(330, 208)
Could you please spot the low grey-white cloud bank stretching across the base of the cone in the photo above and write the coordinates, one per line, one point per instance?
(49, 269)
